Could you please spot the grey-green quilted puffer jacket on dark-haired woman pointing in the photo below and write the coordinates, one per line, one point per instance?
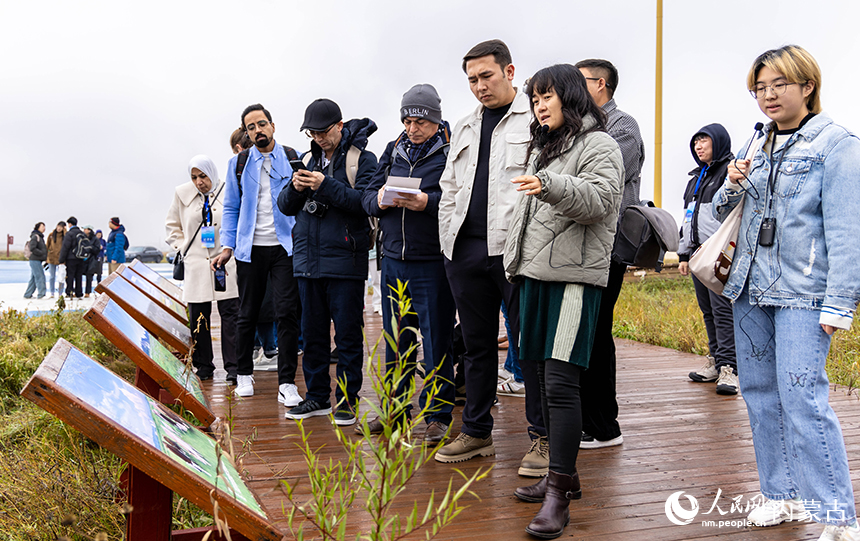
(565, 233)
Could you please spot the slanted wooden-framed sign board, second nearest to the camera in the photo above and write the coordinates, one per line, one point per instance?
(150, 356)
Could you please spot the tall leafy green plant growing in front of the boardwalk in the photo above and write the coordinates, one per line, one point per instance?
(378, 468)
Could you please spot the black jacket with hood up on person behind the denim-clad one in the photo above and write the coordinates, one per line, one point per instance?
(703, 223)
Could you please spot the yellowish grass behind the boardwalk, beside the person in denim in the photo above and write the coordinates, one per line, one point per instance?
(663, 311)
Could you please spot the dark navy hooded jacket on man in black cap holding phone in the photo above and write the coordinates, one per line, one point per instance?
(336, 245)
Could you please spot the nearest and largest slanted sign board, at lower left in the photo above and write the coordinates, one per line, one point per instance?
(147, 435)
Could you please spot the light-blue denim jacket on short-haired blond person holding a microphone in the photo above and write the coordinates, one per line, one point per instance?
(813, 261)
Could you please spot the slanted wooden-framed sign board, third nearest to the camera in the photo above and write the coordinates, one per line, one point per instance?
(154, 318)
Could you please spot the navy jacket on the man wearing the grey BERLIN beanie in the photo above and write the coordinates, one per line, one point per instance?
(406, 234)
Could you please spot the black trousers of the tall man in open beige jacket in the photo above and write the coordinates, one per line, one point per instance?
(478, 284)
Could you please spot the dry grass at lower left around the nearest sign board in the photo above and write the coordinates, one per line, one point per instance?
(54, 481)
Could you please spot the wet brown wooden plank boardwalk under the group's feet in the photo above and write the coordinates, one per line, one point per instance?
(678, 436)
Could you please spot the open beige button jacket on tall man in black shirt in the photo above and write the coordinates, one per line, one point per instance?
(507, 160)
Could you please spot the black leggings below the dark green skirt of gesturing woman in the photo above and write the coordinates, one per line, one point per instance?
(559, 394)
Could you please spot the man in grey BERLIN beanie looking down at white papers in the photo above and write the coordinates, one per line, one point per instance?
(412, 253)
